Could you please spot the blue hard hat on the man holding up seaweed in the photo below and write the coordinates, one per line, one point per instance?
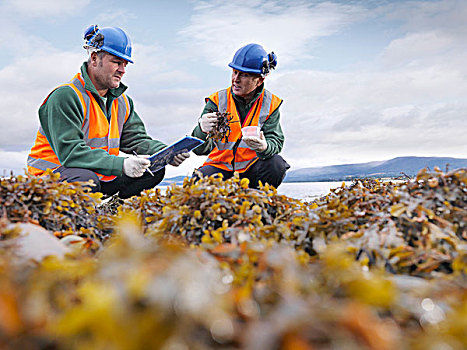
(252, 58)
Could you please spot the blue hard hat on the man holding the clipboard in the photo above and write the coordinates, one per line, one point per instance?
(110, 39)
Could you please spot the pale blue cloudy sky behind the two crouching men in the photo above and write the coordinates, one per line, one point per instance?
(361, 80)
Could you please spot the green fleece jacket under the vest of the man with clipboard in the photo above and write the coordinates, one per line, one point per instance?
(61, 118)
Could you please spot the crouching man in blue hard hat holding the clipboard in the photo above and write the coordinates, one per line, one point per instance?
(86, 122)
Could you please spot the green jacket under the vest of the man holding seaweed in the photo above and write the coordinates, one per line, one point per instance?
(272, 128)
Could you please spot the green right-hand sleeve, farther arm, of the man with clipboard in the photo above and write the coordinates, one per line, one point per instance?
(134, 136)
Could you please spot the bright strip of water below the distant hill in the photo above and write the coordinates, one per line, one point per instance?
(307, 190)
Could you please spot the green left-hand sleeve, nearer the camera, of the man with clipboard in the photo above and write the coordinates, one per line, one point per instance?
(61, 118)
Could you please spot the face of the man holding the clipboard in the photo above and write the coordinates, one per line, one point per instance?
(109, 72)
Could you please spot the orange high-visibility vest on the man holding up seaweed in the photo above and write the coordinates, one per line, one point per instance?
(234, 154)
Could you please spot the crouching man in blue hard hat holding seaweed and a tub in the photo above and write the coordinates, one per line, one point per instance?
(252, 145)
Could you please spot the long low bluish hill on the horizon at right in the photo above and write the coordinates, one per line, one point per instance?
(388, 168)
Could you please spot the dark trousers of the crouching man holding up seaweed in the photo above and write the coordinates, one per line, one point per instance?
(271, 171)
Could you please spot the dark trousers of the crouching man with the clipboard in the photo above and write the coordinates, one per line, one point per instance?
(125, 185)
